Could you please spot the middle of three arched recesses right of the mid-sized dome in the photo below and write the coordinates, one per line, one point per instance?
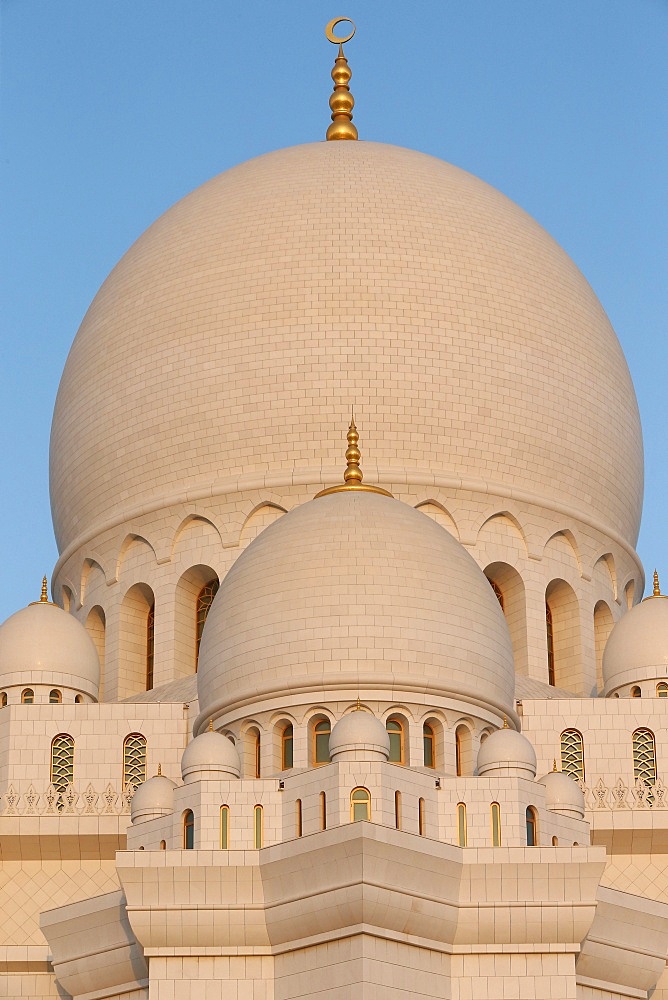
(562, 626)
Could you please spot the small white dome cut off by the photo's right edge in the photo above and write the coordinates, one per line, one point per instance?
(637, 649)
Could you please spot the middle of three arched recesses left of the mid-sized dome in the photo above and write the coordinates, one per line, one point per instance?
(137, 641)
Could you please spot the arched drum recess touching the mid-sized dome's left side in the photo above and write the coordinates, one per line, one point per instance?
(194, 596)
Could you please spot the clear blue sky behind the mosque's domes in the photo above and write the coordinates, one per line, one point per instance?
(114, 109)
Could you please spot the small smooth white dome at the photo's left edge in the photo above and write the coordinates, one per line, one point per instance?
(44, 645)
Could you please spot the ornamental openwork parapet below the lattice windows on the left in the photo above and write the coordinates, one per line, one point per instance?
(111, 801)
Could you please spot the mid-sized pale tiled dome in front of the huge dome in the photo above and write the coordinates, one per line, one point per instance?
(355, 592)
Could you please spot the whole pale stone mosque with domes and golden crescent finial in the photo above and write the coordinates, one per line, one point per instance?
(343, 686)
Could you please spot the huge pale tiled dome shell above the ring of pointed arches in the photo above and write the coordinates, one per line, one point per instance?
(296, 283)
